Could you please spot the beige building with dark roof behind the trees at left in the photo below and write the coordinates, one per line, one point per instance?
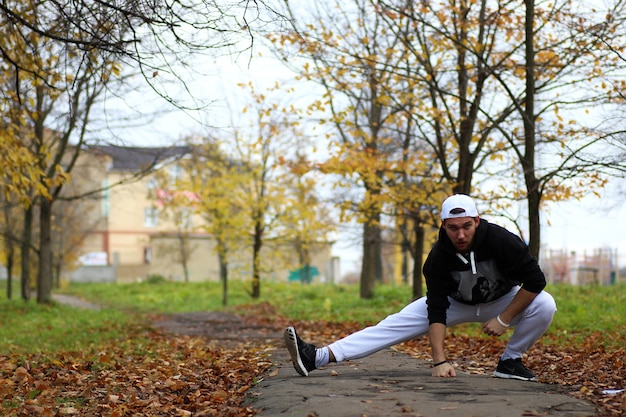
(125, 228)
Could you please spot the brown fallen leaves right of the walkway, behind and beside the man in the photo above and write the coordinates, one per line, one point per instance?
(583, 369)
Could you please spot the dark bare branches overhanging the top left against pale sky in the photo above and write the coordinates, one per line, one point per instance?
(155, 36)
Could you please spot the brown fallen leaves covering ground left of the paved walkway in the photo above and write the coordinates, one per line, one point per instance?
(169, 376)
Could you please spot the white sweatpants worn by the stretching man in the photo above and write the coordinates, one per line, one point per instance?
(412, 321)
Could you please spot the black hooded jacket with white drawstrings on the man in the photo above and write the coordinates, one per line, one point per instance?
(497, 261)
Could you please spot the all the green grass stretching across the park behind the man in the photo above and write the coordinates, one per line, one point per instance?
(29, 327)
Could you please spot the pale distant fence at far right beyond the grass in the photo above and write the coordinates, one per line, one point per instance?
(600, 267)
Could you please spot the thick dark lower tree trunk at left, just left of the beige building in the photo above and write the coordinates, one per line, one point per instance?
(44, 281)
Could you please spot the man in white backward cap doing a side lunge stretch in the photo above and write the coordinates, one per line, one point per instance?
(475, 272)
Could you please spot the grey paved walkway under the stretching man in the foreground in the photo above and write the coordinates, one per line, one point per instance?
(389, 384)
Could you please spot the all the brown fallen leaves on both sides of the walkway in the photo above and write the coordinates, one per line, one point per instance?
(166, 373)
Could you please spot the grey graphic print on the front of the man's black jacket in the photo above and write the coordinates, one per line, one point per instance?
(482, 283)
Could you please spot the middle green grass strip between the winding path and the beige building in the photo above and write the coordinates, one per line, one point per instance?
(300, 302)
